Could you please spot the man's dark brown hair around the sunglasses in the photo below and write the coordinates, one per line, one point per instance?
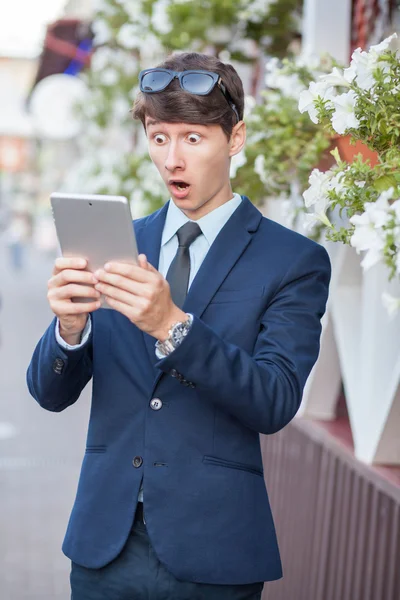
(175, 105)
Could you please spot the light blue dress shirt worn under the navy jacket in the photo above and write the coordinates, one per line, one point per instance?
(210, 225)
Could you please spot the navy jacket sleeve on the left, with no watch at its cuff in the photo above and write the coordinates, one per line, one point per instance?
(56, 376)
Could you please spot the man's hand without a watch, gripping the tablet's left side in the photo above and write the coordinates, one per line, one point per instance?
(70, 280)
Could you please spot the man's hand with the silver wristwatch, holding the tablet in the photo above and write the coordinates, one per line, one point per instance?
(140, 293)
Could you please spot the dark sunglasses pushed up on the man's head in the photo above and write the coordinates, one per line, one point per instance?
(200, 83)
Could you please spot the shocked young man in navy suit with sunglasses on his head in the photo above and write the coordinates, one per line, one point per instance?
(188, 369)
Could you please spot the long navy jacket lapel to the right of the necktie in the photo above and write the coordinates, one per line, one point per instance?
(226, 250)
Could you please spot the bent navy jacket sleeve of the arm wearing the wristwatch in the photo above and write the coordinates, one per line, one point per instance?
(262, 390)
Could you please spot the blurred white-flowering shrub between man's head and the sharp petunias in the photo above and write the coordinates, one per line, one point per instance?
(282, 144)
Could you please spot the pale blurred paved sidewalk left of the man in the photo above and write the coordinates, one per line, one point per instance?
(40, 452)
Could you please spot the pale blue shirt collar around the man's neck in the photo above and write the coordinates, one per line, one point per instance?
(210, 225)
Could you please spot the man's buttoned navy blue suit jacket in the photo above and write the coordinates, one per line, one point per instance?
(257, 302)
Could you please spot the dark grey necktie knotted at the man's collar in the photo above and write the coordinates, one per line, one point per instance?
(179, 271)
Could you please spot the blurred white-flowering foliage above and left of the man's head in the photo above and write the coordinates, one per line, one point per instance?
(132, 35)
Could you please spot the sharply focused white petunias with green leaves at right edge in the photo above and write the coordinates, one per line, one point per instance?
(362, 102)
